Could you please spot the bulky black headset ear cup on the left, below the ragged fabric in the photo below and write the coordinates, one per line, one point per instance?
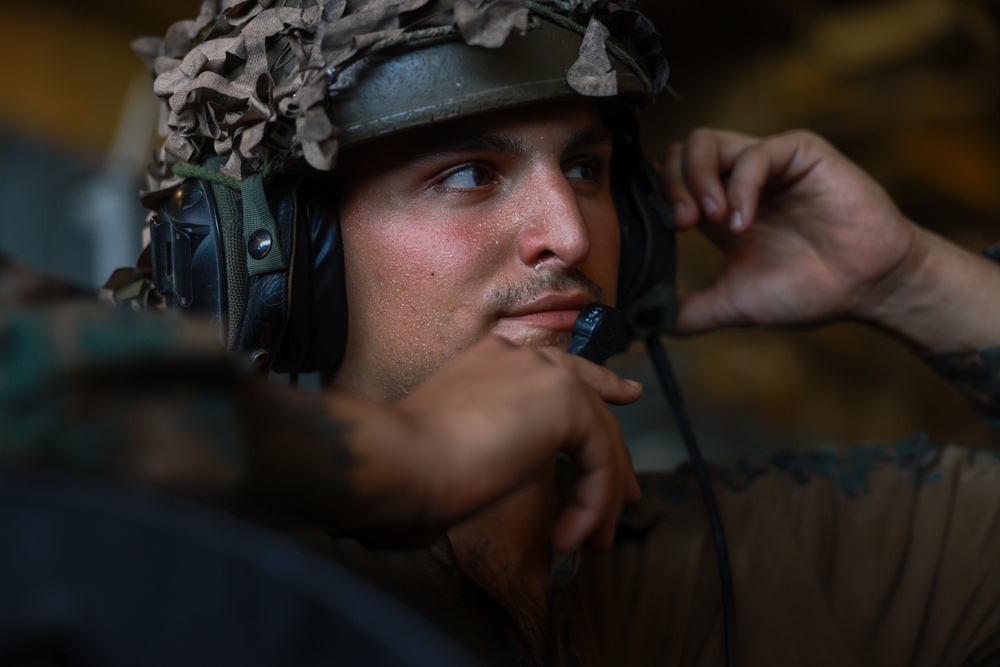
(292, 320)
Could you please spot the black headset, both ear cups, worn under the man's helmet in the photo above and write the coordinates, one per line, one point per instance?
(295, 320)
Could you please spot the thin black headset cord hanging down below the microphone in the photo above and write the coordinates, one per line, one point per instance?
(673, 396)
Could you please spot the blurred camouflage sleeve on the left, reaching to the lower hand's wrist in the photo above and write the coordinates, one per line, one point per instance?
(154, 399)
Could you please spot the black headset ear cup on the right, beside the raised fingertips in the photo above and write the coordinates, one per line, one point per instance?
(647, 290)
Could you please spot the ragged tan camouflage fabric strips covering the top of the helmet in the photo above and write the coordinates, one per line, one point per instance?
(248, 80)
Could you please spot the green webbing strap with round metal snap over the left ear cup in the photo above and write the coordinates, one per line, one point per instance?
(257, 218)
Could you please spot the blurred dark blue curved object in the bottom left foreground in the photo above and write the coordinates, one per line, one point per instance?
(97, 574)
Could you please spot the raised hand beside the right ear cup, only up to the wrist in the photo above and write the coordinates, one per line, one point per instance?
(807, 235)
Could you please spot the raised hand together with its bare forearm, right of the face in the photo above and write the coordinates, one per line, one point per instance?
(809, 237)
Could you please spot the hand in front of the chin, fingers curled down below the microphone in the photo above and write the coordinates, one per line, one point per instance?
(490, 422)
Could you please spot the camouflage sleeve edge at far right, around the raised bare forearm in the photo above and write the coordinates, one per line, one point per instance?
(976, 373)
